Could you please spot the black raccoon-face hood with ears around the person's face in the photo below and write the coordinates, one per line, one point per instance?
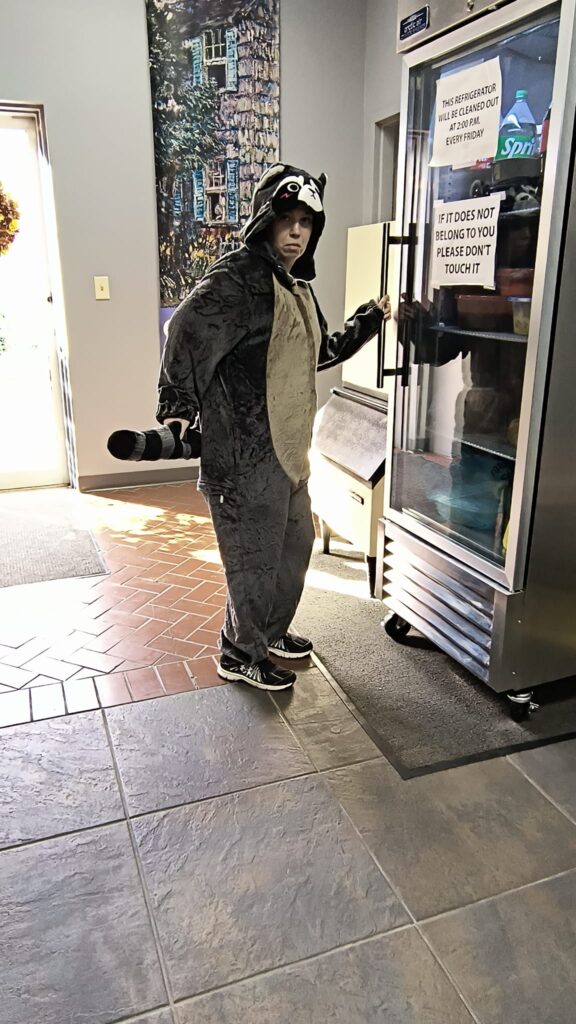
(280, 190)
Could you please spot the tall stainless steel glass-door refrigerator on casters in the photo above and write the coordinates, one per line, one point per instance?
(478, 547)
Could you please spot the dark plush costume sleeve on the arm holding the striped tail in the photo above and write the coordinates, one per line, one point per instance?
(204, 329)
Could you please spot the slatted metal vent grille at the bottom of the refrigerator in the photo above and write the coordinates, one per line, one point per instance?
(447, 605)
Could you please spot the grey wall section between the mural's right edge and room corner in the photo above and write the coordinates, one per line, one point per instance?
(322, 99)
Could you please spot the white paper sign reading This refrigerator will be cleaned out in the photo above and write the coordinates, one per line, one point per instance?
(468, 116)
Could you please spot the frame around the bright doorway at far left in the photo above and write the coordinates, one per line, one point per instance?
(36, 113)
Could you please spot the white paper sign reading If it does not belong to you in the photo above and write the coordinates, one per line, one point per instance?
(464, 248)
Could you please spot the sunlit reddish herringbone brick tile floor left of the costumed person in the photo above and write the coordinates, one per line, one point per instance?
(147, 629)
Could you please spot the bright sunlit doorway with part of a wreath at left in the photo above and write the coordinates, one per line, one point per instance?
(33, 440)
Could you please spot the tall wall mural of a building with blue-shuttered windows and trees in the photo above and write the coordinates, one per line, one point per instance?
(216, 86)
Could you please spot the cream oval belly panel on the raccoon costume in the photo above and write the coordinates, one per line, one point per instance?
(292, 366)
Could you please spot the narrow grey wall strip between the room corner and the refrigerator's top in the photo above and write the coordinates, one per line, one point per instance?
(382, 86)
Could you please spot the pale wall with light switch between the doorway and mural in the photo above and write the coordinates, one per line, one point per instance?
(87, 61)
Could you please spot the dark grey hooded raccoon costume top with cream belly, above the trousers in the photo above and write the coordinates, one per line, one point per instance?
(243, 349)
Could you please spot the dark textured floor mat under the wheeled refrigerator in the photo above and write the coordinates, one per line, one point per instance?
(424, 711)
